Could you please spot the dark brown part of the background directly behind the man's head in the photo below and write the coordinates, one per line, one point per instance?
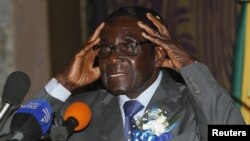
(206, 28)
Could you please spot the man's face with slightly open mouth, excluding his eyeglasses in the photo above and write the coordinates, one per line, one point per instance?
(128, 75)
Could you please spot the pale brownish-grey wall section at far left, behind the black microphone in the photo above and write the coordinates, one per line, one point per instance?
(24, 40)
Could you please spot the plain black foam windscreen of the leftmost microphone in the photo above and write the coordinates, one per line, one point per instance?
(15, 88)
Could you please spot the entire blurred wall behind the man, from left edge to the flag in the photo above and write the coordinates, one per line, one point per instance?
(40, 37)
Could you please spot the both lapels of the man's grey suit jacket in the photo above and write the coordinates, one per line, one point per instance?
(167, 95)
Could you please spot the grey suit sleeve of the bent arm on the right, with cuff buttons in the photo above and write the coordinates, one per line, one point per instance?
(211, 100)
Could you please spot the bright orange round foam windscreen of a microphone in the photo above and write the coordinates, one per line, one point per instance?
(81, 112)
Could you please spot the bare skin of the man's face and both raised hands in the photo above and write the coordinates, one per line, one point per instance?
(121, 74)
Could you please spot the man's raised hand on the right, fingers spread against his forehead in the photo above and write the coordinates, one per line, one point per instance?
(176, 57)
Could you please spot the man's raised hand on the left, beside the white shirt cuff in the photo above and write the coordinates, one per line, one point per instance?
(80, 71)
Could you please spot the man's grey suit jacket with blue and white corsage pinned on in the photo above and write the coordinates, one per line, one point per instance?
(197, 102)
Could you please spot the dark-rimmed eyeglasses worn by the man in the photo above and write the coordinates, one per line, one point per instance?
(122, 49)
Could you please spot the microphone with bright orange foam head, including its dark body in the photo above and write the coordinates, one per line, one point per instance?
(76, 117)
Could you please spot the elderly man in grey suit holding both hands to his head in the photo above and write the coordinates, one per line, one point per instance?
(134, 50)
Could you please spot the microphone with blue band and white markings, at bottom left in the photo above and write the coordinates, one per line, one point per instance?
(31, 121)
